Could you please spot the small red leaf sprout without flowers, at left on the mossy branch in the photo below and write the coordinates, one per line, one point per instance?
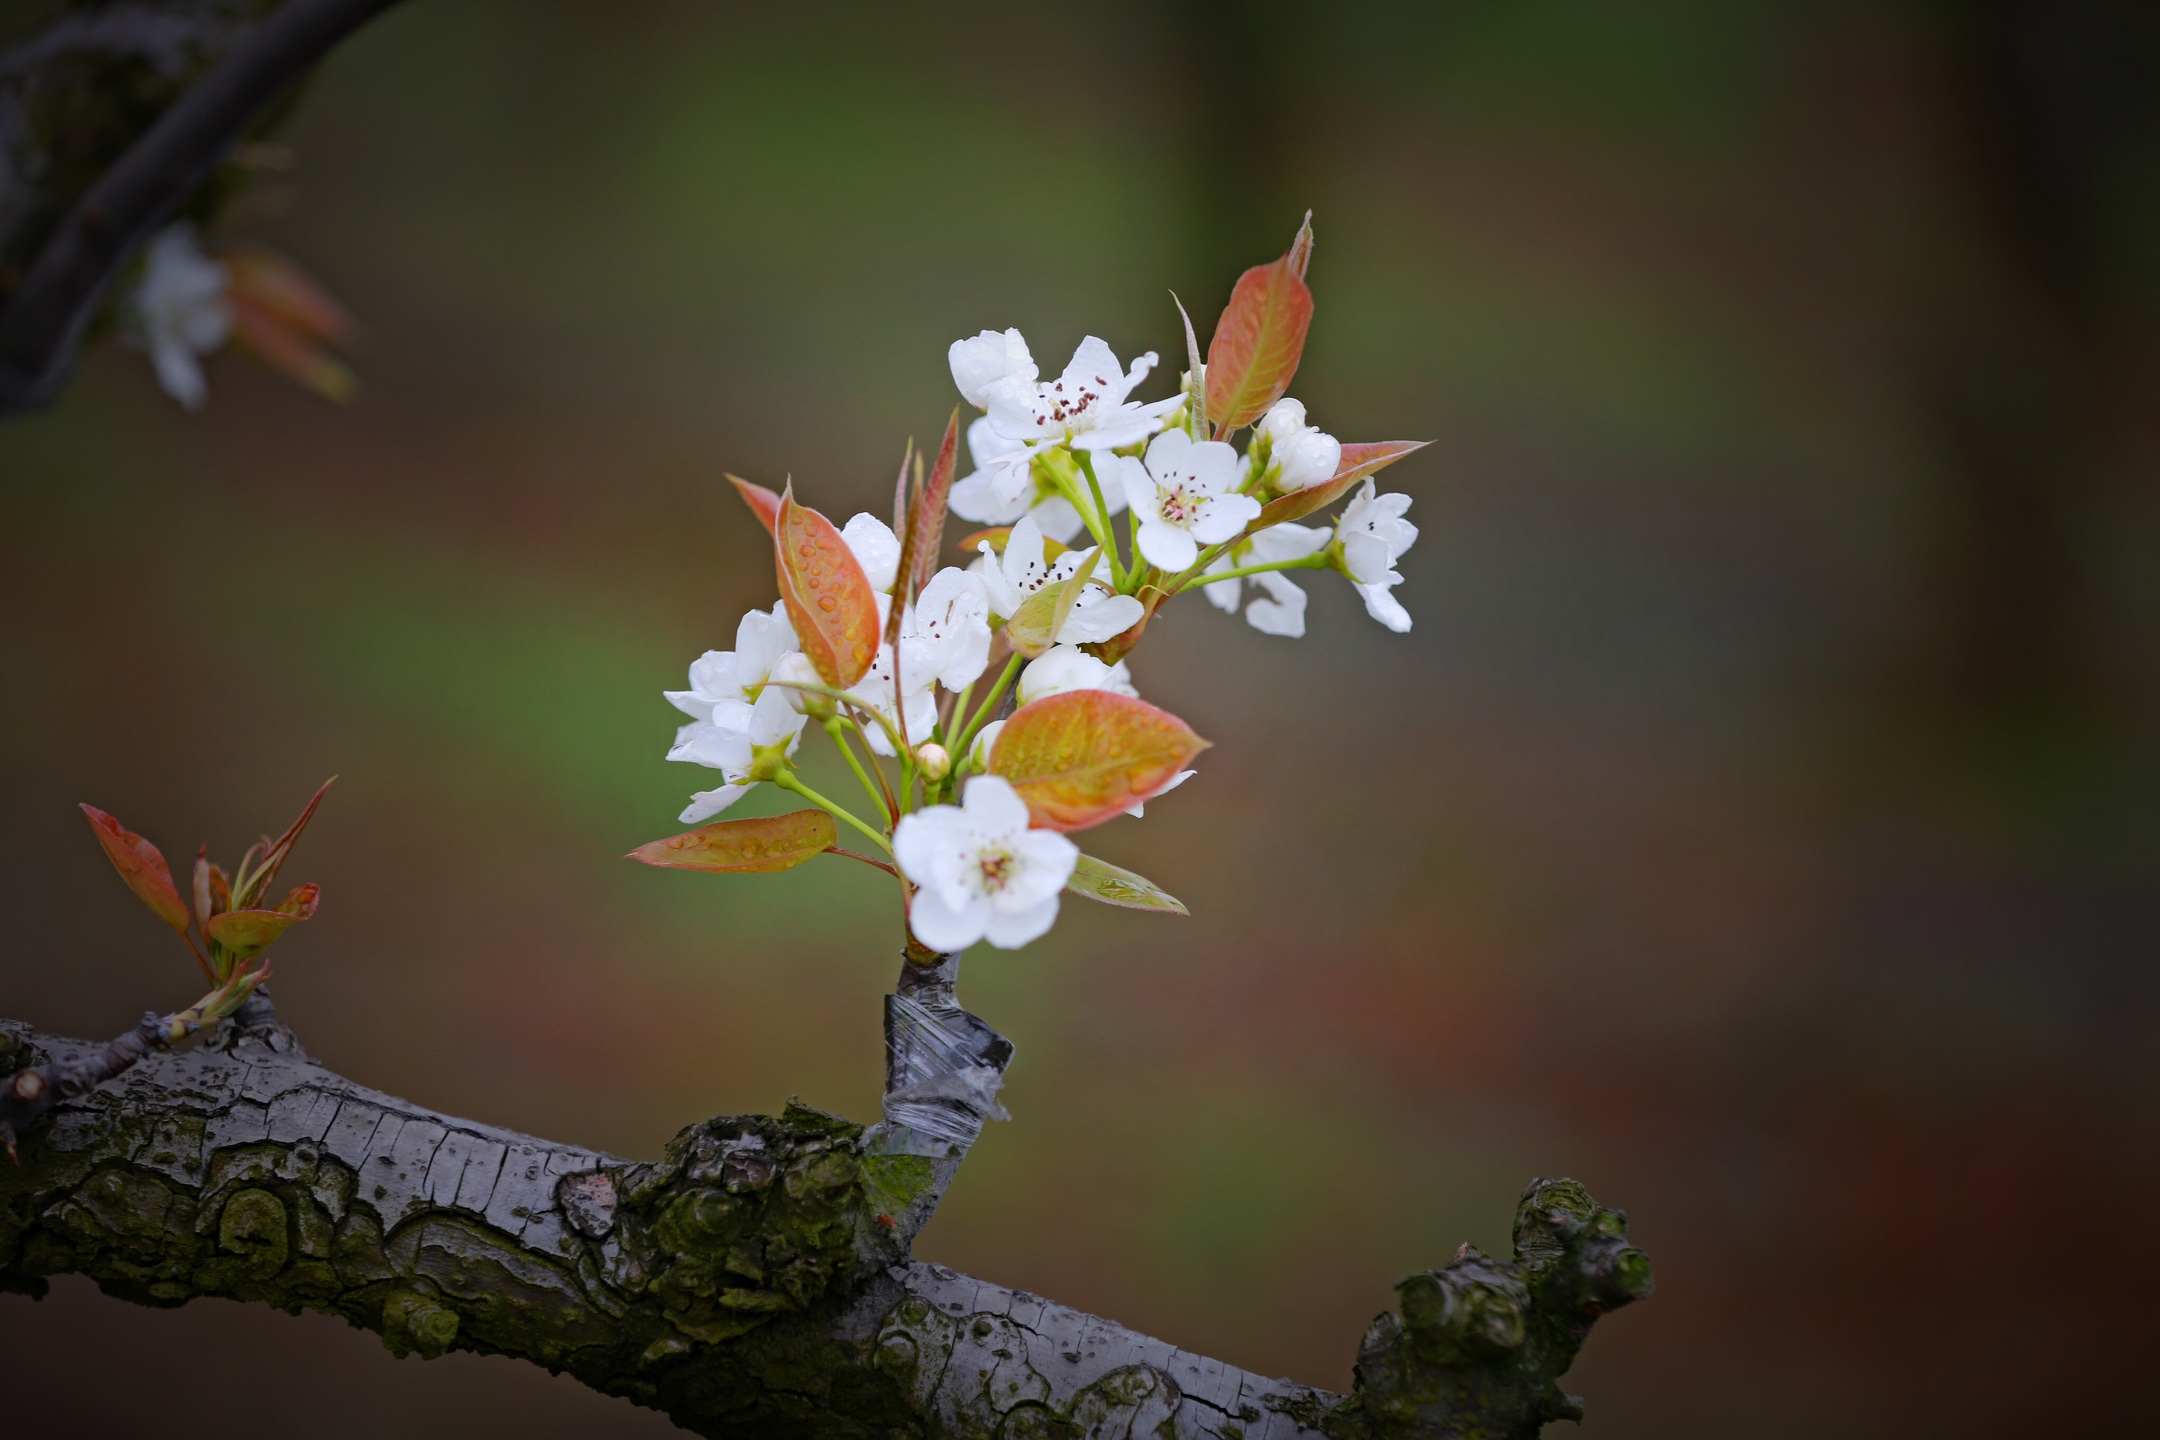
(228, 923)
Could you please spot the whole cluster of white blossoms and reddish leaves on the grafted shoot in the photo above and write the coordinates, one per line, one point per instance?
(982, 711)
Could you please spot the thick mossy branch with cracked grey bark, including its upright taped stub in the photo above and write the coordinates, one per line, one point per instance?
(753, 1281)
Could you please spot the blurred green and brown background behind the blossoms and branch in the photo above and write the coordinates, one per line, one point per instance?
(1761, 821)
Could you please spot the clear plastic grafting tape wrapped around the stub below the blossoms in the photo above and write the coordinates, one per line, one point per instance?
(943, 1074)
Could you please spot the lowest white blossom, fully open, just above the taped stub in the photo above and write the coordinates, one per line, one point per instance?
(982, 873)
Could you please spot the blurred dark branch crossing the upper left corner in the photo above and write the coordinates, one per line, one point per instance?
(111, 62)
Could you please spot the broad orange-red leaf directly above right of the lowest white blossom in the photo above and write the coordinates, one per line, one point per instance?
(1085, 757)
